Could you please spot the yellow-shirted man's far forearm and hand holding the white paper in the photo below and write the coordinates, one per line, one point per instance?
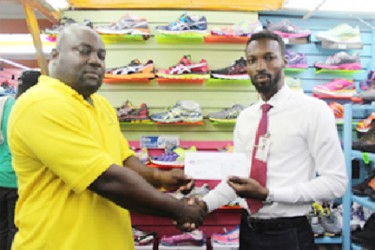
(170, 180)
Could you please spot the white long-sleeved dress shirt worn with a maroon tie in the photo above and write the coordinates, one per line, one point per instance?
(305, 162)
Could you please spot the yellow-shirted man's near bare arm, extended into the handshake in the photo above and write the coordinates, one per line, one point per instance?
(129, 190)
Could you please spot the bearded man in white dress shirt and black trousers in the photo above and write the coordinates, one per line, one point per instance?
(304, 159)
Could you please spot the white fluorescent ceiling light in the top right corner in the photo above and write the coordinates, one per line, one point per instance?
(349, 6)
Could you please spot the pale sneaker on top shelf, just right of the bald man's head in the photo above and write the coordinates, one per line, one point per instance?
(126, 25)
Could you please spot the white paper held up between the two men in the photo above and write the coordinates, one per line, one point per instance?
(216, 165)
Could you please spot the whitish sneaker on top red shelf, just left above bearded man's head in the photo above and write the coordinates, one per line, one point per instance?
(241, 29)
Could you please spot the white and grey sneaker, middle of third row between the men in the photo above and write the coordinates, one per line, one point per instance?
(183, 111)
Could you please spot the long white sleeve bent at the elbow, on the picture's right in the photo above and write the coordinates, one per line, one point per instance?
(324, 145)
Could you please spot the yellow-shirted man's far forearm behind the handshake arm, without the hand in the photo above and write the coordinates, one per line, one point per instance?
(151, 175)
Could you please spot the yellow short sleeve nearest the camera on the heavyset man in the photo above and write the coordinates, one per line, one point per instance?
(55, 135)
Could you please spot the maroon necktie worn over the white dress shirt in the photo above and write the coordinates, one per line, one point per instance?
(259, 168)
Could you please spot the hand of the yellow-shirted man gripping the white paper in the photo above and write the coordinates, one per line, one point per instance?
(175, 179)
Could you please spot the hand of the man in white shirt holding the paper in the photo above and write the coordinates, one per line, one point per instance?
(247, 188)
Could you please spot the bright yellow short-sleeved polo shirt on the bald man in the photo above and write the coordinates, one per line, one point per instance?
(60, 144)
